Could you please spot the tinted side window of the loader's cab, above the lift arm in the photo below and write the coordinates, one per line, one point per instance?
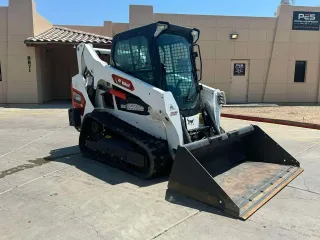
(132, 56)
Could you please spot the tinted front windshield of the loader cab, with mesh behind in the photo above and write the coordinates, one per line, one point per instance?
(177, 67)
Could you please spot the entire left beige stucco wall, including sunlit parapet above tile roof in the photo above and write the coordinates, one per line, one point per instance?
(19, 21)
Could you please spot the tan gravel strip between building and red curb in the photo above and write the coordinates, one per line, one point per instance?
(306, 114)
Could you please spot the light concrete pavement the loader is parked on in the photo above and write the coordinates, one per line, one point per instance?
(49, 191)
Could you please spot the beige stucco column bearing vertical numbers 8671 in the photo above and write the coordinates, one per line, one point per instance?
(22, 80)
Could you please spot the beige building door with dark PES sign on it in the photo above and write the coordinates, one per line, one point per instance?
(239, 81)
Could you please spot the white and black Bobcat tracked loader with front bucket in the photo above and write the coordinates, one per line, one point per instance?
(147, 108)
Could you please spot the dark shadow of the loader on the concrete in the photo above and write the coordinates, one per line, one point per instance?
(103, 171)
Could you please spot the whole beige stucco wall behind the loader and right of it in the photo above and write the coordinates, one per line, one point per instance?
(269, 43)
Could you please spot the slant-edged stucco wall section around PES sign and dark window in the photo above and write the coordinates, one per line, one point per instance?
(290, 46)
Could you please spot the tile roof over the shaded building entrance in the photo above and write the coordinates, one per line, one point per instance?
(67, 36)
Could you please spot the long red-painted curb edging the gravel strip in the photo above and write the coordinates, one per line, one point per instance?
(274, 121)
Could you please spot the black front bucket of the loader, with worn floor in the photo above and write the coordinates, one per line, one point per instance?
(237, 173)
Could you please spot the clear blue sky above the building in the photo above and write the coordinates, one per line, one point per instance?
(94, 12)
